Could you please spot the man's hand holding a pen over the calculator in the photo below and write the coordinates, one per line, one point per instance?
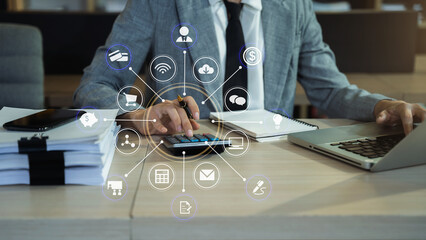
(169, 118)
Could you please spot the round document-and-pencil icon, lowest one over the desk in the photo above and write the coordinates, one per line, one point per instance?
(183, 207)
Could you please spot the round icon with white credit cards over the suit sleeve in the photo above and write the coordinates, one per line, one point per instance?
(118, 57)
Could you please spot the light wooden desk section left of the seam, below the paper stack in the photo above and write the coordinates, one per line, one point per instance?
(69, 212)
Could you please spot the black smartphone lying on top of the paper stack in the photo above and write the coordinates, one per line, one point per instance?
(44, 120)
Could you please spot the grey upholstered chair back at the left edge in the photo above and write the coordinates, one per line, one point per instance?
(21, 66)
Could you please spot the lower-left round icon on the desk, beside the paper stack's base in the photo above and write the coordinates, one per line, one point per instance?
(114, 188)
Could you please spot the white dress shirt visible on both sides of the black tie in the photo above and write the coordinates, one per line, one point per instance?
(251, 23)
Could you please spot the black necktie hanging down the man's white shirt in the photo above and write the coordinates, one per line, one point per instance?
(234, 99)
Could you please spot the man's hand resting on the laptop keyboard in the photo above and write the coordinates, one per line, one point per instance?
(399, 112)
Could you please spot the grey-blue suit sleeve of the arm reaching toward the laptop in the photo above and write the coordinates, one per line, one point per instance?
(326, 87)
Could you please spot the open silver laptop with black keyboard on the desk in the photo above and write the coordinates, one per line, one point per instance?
(368, 145)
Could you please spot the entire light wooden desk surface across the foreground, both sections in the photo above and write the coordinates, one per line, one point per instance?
(313, 197)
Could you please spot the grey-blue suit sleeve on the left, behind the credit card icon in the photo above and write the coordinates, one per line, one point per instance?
(100, 84)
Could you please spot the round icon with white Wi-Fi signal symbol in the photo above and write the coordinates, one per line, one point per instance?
(163, 68)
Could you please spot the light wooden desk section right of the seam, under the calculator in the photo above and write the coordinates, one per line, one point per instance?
(313, 197)
